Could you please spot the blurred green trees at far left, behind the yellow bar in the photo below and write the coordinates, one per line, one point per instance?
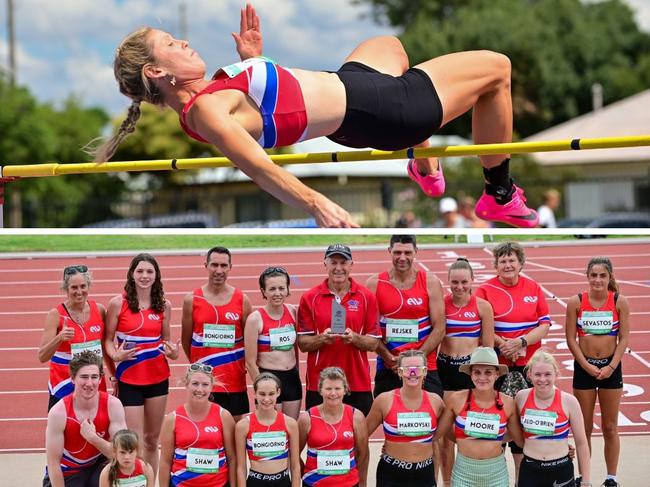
(33, 132)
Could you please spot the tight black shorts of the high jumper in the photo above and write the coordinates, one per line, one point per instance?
(387, 112)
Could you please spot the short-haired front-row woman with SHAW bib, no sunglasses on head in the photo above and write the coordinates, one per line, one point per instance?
(336, 437)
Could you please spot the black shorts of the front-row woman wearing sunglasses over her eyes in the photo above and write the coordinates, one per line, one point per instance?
(392, 472)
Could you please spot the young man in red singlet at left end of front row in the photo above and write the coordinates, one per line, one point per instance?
(80, 427)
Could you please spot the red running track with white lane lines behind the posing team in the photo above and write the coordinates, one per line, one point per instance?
(29, 288)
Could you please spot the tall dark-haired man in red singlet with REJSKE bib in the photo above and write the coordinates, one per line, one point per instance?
(411, 315)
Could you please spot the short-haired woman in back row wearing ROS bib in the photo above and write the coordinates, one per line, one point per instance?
(270, 338)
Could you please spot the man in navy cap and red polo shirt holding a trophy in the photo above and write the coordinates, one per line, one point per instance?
(338, 324)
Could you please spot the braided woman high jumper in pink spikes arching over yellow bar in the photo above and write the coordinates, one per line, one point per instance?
(258, 103)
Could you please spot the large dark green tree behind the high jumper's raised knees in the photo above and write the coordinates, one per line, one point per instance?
(558, 48)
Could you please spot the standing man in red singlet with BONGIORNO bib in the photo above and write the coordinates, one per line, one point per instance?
(213, 332)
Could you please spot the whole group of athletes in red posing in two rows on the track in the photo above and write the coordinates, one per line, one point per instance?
(458, 375)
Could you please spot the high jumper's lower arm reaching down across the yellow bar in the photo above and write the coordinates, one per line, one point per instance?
(219, 128)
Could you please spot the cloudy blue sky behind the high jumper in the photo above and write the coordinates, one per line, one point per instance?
(67, 46)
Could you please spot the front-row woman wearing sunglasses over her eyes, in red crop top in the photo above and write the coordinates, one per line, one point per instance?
(410, 418)
